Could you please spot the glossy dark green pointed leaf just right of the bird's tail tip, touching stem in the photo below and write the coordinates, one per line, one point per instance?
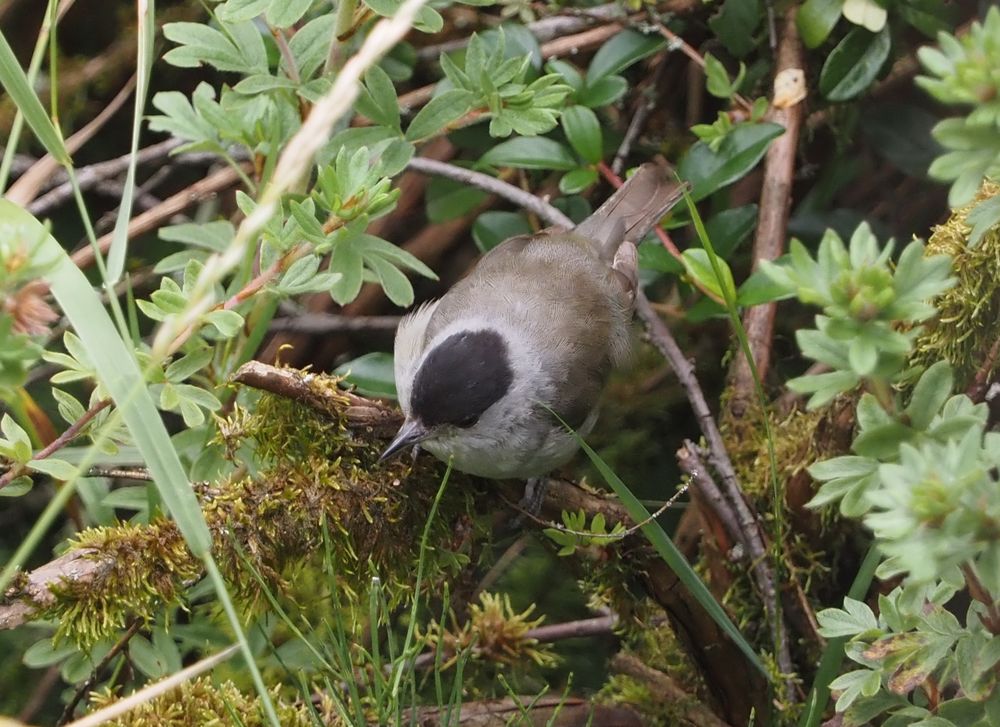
(708, 171)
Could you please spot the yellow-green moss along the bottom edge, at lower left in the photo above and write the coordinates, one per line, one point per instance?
(200, 702)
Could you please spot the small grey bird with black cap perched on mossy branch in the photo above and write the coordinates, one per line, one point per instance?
(540, 320)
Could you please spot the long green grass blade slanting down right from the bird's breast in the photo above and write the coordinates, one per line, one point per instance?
(671, 555)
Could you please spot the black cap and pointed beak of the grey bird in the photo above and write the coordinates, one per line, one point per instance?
(461, 377)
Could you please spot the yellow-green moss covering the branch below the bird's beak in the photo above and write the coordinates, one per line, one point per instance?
(316, 480)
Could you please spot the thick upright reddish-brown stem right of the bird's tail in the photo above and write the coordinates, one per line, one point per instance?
(769, 243)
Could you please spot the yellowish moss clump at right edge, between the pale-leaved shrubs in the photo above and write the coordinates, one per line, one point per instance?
(966, 327)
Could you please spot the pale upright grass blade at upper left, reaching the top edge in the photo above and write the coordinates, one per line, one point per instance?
(144, 65)
